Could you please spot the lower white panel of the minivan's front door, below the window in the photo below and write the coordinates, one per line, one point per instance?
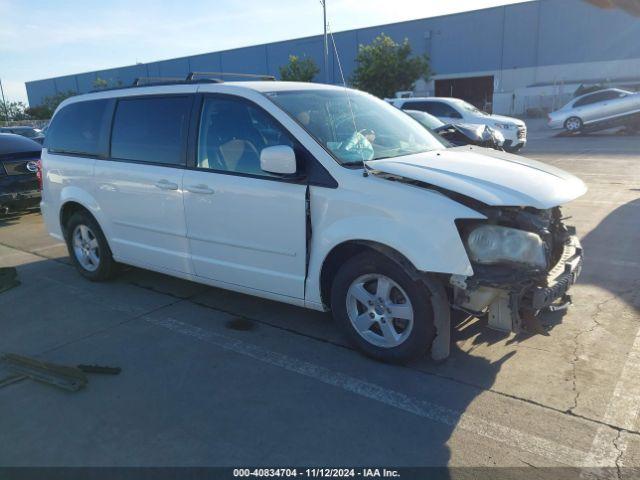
(249, 231)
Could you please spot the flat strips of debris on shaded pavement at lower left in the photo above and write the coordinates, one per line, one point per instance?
(61, 376)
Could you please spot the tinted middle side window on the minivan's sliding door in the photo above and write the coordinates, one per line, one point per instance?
(151, 129)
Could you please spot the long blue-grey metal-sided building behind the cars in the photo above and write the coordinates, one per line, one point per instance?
(507, 58)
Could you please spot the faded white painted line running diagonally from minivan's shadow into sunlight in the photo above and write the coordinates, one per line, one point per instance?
(513, 438)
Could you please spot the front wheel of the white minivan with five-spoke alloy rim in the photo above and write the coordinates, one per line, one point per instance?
(384, 312)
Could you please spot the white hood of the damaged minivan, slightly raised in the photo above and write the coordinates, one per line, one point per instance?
(490, 176)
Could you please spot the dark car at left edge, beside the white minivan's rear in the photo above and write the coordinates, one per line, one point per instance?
(19, 165)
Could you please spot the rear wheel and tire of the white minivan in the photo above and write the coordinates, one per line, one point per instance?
(88, 248)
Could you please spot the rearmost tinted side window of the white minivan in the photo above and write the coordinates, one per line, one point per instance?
(80, 128)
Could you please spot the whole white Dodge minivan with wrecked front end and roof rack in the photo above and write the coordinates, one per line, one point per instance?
(313, 195)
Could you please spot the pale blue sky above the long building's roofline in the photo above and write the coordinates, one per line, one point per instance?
(44, 38)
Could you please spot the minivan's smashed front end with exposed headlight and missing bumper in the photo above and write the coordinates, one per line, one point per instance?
(524, 261)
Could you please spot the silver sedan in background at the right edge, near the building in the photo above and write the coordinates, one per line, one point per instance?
(599, 110)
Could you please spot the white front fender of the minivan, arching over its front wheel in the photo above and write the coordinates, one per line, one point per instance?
(419, 224)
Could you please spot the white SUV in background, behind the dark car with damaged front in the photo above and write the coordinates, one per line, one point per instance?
(455, 110)
